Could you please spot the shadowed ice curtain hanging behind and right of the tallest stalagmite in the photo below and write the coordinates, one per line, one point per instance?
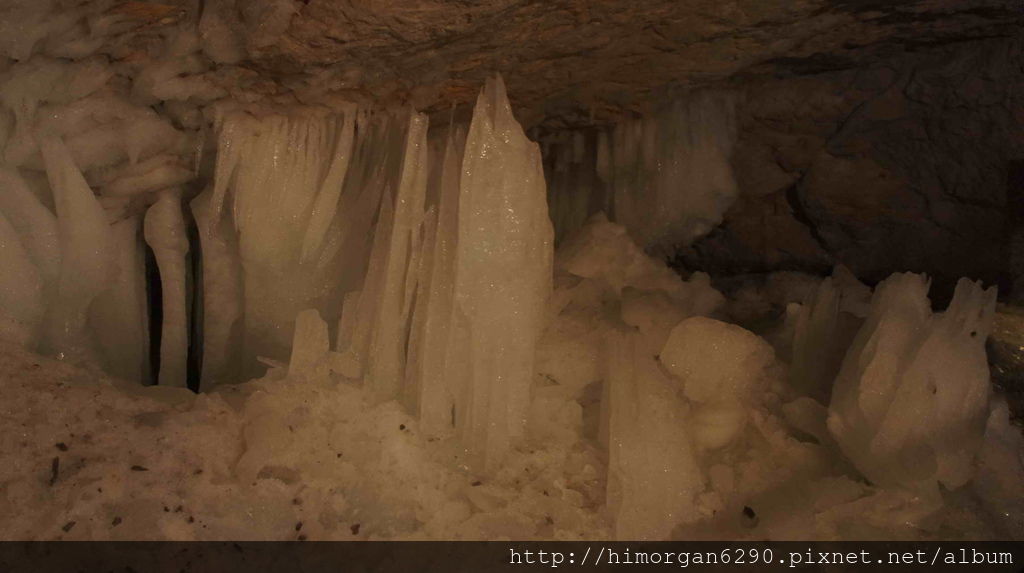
(667, 177)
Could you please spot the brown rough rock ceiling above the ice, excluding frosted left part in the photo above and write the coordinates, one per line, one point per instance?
(571, 58)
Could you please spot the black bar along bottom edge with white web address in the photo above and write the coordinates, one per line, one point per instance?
(510, 557)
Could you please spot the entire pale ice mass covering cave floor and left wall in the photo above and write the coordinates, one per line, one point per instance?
(426, 366)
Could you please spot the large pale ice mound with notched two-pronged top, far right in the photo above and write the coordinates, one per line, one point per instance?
(911, 402)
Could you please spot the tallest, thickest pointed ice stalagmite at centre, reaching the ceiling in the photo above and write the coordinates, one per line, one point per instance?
(503, 276)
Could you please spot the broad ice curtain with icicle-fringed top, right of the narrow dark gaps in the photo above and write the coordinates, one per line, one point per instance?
(283, 175)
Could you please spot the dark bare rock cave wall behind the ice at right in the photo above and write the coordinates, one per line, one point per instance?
(904, 165)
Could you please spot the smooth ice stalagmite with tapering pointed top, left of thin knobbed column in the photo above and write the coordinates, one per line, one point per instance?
(87, 254)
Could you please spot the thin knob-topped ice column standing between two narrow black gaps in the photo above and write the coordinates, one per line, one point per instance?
(165, 234)
